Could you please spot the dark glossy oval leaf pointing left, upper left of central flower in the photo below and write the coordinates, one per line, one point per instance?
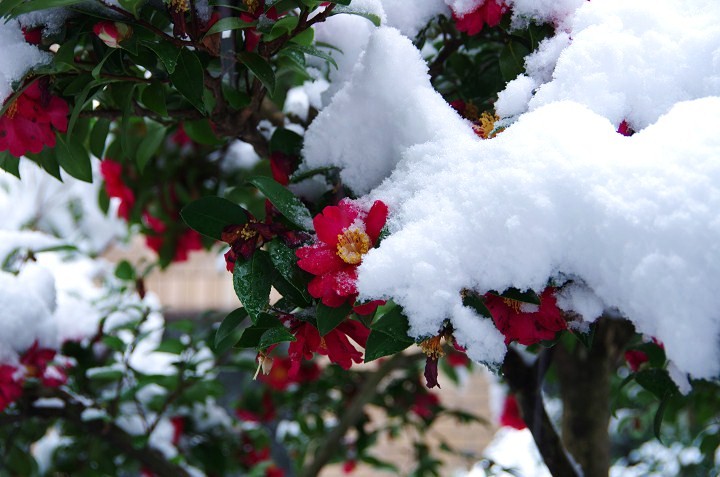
(210, 215)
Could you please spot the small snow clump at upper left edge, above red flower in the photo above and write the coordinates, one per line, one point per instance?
(17, 58)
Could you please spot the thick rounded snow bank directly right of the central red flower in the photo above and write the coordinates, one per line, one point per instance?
(635, 218)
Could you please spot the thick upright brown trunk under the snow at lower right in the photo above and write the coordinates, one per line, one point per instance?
(584, 374)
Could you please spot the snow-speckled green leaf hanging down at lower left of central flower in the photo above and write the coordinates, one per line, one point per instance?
(252, 280)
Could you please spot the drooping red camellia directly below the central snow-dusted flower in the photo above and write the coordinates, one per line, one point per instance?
(335, 345)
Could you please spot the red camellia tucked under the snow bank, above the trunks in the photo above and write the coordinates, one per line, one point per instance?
(520, 322)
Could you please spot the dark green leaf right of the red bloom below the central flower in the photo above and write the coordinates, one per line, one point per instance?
(388, 335)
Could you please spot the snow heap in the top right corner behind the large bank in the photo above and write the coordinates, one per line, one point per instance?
(631, 60)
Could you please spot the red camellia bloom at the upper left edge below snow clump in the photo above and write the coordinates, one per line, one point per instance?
(29, 123)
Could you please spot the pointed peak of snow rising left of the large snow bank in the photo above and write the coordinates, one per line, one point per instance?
(386, 106)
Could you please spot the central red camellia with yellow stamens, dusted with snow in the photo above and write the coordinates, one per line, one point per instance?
(345, 233)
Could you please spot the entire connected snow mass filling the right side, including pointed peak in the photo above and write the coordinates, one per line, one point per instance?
(559, 193)
